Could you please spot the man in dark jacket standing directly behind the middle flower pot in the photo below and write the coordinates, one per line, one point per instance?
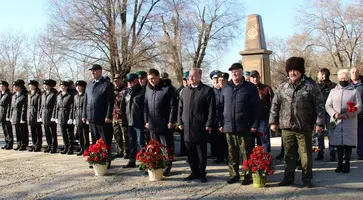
(161, 111)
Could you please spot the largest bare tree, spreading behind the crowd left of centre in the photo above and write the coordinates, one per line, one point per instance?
(113, 32)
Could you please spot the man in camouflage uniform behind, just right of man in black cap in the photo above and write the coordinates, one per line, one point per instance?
(120, 133)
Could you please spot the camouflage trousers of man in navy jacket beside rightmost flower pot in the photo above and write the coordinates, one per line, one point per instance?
(238, 143)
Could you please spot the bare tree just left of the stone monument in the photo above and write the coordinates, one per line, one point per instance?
(192, 28)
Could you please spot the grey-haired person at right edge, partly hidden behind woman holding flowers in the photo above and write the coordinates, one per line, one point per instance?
(357, 81)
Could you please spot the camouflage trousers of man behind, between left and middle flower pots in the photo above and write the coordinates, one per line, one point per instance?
(121, 138)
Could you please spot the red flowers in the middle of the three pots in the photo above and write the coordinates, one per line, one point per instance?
(154, 155)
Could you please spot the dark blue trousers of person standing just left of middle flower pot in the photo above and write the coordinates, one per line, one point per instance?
(136, 141)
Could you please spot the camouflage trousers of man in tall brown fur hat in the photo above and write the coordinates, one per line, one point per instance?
(292, 140)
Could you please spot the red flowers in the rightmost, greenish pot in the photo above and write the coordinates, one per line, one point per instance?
(260, 162)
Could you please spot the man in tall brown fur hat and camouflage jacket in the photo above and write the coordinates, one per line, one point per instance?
(296, 108)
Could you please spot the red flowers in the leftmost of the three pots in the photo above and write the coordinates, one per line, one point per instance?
(98, 153)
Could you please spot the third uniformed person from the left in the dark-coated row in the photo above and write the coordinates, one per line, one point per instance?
(35, 126)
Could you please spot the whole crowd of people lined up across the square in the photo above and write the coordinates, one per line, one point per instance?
(234, 115)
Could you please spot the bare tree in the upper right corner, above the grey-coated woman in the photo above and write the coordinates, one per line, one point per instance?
(336, 29)
